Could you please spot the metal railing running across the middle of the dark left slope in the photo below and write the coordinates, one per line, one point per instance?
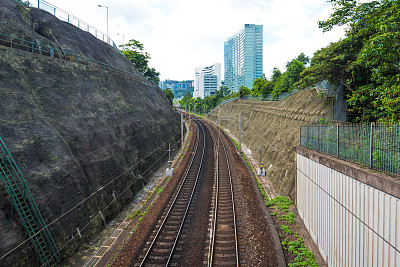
(54, 52)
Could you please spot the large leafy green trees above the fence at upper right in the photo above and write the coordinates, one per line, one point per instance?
(365, 62)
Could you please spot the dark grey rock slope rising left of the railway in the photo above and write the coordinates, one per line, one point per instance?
(81, 136)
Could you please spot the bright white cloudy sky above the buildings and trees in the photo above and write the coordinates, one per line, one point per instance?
(180, 35)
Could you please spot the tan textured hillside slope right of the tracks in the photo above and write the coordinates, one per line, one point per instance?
(275, 126)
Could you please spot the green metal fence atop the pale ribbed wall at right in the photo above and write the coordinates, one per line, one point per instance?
(374, 146)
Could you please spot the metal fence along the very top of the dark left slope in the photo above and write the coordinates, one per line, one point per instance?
(67, 17)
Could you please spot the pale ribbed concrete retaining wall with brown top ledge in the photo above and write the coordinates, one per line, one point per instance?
(352, 215)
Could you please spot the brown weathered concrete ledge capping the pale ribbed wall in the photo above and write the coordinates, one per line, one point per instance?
(385, 183)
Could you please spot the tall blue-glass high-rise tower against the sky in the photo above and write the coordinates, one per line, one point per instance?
(243, 57)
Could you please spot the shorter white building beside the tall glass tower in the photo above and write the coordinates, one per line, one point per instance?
(207, 80)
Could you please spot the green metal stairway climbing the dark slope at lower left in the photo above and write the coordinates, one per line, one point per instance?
(22, 200)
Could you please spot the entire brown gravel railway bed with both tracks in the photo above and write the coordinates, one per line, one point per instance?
(209, 216)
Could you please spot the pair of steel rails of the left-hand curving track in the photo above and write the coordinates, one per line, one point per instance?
(175, 200)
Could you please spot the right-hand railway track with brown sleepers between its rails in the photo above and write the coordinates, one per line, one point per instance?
(223, 247)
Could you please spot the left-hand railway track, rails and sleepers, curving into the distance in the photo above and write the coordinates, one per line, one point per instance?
(161, 250)
